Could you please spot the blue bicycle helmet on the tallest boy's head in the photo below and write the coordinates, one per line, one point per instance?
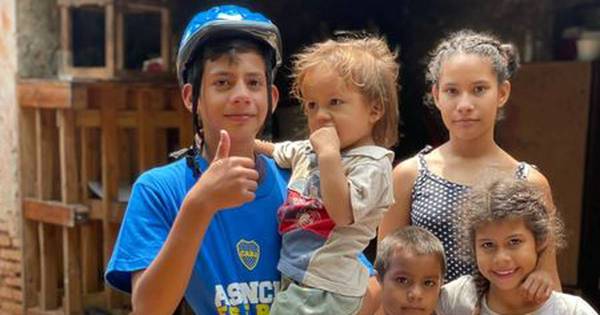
(226, 21)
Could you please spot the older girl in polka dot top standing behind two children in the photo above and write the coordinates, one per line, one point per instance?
(469, 74)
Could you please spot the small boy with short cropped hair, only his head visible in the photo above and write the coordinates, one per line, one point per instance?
(411, 265)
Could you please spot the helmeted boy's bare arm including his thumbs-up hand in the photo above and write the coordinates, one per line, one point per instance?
(228, 182)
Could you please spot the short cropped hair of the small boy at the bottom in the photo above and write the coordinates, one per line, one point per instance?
(410, 238)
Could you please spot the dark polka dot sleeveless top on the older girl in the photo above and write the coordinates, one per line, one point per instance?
(434, 207)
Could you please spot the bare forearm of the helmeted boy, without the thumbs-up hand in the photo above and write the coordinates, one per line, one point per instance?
(173, 265)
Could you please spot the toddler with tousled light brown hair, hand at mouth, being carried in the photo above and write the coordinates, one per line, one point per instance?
(341, 176)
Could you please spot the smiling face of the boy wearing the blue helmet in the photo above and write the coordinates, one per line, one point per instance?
(234, 97)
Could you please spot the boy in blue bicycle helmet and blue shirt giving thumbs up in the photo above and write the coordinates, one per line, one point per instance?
(208, 230)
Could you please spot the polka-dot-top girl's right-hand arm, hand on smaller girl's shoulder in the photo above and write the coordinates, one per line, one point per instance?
(539, 284)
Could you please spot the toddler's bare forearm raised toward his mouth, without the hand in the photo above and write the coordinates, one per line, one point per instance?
(334, 189)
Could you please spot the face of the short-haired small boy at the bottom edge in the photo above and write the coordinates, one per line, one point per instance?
(411, 285)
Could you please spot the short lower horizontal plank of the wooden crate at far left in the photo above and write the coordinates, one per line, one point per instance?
(55, 213)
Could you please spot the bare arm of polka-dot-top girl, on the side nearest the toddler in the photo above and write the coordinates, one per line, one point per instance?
(398, 215)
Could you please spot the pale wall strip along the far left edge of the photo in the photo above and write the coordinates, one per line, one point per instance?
(10, 255)
